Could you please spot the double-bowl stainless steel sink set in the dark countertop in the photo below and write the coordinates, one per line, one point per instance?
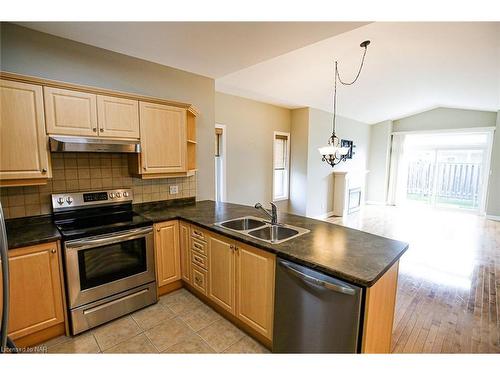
(263, 230)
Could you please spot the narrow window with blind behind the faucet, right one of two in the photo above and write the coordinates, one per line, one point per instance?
(281, 150)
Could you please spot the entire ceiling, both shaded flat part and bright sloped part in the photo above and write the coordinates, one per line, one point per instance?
(410, 67)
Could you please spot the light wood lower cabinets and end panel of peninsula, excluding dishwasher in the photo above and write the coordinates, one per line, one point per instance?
(238, 280)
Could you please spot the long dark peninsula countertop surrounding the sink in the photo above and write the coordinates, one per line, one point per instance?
(352, 255)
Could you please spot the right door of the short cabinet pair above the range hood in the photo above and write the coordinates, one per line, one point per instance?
(117, 117)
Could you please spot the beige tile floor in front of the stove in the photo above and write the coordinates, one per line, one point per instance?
(178, 323)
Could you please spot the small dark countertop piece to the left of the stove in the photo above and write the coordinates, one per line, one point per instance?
(30, 231)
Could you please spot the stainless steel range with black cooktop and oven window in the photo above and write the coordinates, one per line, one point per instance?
(108, 256)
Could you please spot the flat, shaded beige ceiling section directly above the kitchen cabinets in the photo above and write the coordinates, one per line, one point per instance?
(211, 49)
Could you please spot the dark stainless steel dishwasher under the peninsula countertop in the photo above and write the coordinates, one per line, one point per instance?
(314, 313)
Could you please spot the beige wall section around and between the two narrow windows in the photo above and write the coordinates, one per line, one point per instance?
(250, 127)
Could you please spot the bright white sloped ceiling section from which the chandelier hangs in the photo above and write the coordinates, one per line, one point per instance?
(409, 68)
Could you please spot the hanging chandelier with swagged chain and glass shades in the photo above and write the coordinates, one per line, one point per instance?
(334, 152)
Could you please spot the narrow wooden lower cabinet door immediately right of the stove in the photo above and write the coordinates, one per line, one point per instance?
(168, 266)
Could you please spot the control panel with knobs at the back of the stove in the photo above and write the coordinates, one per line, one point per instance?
(74, 200)
